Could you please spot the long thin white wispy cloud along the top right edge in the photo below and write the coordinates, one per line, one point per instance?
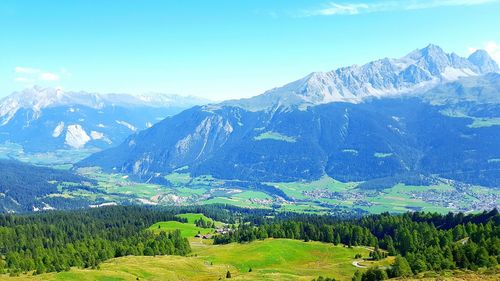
(350, 8)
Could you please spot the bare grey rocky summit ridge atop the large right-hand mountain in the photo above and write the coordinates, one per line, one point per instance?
(417, 70)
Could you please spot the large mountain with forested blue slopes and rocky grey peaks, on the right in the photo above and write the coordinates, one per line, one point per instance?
(428, 113)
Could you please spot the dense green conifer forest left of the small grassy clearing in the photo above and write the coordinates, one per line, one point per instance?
(56, 241)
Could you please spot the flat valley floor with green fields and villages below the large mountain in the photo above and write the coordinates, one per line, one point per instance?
(325, 195)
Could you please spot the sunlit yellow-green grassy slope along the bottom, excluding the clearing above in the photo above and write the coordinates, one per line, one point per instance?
(272, 259)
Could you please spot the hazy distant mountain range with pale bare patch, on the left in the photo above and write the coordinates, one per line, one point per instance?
(45, 119)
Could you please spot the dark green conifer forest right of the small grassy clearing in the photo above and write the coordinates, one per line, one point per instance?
(457, 241)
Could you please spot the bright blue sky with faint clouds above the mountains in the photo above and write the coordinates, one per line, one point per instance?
(222, 49)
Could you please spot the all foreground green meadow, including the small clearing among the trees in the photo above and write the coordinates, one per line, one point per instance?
(270, 259)
